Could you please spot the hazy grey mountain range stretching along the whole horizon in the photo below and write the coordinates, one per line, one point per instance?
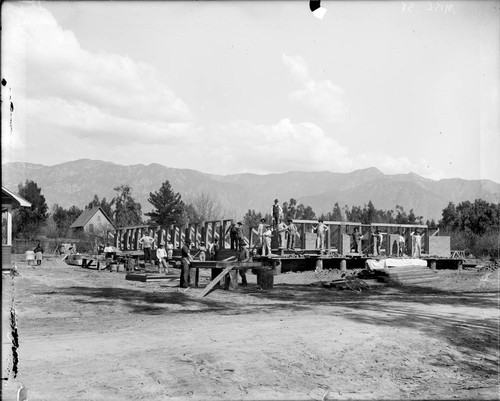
(76, 182)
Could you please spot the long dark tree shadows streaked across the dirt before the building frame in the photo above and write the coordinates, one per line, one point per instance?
(388, 306)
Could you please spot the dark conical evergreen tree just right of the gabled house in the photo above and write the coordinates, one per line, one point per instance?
(168, 206)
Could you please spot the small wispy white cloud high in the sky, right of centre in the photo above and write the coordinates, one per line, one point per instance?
(322, 97)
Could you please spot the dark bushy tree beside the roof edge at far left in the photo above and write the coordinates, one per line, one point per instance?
(28, 221)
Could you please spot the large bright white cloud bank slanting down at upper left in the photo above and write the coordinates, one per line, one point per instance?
(49, 62)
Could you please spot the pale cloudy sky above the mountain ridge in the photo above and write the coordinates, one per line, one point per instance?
(258, 87)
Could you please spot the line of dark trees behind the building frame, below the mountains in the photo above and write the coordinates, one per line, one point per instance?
(473, 226)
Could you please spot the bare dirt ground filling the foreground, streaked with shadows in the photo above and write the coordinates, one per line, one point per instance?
(88, 335)
